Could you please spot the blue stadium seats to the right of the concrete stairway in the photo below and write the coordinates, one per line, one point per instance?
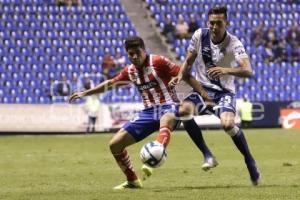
(247, 15)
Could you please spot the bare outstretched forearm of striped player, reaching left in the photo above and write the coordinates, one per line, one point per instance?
(102, 87)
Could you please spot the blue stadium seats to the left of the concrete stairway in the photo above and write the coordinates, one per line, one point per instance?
(41, 41)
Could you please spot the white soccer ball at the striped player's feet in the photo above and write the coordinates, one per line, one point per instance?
(153, 154)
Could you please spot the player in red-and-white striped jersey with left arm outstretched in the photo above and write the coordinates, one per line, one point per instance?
(151, 75)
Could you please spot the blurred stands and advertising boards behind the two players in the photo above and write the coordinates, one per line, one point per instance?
(50, 49)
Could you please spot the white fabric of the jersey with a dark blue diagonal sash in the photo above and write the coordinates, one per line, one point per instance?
(225, 54)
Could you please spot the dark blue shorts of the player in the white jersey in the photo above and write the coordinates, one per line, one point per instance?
(225, 102)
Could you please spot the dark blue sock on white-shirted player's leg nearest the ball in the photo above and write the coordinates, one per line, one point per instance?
(196, 135)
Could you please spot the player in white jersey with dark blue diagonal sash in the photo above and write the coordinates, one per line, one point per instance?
(218, 57)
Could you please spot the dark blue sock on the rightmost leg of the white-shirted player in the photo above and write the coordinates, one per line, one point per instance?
(241, 143)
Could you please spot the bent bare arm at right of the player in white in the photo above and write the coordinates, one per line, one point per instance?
(244, 69)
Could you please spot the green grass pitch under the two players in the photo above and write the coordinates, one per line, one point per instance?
(71, 167)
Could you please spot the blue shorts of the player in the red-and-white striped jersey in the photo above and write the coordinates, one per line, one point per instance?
(147, 121)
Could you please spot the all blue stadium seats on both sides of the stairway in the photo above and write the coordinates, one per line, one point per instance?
(40, 41)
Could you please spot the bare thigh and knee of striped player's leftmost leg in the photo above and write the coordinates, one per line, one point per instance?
(121, 140)
